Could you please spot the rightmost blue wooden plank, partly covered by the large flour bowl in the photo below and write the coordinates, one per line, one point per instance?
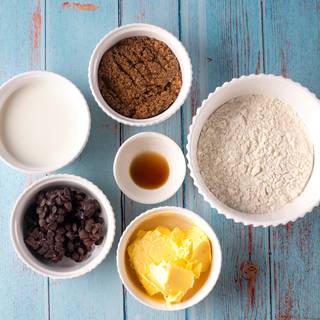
(292, 33)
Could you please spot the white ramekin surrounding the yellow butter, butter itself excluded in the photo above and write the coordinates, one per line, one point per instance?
(177, 217)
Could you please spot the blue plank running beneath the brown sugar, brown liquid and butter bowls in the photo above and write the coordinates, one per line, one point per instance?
(164, 14)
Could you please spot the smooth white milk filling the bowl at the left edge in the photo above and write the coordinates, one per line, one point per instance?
(41, 124)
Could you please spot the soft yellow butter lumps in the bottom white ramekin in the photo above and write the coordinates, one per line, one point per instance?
(169, 261)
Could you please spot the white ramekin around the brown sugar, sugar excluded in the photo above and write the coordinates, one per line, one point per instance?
(133, 30)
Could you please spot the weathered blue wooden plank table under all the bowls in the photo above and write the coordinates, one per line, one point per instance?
(225, 39)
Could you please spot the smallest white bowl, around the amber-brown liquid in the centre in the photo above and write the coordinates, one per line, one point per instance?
(154, 142)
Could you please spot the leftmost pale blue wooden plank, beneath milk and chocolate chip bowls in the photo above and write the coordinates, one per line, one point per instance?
(23, 294)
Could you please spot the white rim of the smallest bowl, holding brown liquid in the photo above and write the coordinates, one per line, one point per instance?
(123, 188)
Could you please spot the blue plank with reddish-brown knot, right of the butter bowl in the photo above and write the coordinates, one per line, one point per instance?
(224, 41)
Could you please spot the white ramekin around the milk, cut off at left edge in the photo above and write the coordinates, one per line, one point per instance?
(60, 83)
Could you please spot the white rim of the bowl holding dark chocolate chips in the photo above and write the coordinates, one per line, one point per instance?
(105, 249)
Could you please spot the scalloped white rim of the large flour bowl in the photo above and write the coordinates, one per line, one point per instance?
(229, 213)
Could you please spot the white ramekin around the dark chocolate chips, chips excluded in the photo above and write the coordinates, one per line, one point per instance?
(66, 268)
